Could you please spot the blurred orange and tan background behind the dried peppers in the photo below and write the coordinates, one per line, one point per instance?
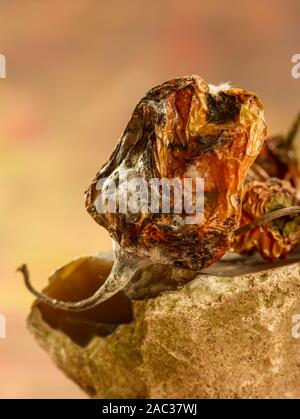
(75, 70)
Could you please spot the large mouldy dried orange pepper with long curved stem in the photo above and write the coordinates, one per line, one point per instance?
(183, 128)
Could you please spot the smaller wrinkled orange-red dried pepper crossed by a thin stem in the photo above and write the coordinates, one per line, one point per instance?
(277, 238)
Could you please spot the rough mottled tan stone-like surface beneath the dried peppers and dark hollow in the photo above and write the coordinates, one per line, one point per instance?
(214, 338)
